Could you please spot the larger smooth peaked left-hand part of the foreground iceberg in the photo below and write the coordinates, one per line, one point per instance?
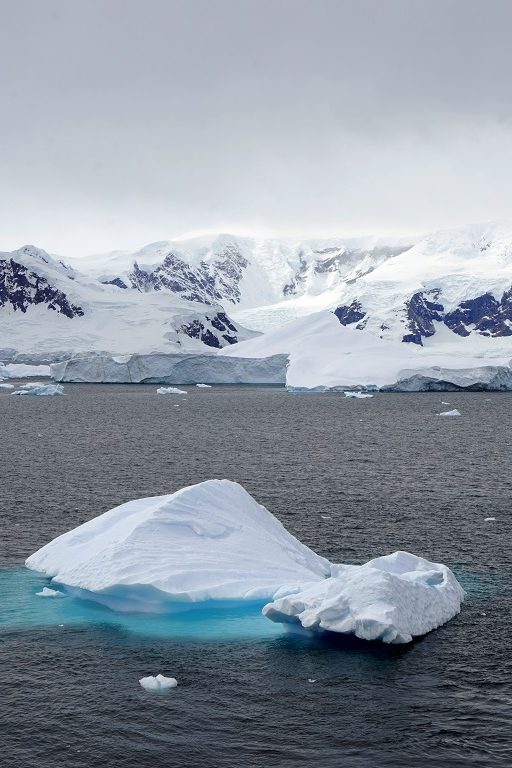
(210, 541)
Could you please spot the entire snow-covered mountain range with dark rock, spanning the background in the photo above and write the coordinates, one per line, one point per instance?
(452, 289)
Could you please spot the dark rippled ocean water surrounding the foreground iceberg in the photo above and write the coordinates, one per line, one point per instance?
(353, 479)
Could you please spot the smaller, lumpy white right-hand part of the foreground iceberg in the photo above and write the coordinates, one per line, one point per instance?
(392, 598)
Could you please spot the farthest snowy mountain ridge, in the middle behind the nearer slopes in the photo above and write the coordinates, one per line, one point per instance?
(243, 273)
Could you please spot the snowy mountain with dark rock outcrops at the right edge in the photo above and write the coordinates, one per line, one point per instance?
(452, 284)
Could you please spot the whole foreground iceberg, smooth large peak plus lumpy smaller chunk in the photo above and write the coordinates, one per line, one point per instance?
(213, 544)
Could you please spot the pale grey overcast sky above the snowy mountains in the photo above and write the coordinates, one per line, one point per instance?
(123, 122)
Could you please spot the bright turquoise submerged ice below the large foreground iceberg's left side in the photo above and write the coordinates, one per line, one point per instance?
(23, 608)
